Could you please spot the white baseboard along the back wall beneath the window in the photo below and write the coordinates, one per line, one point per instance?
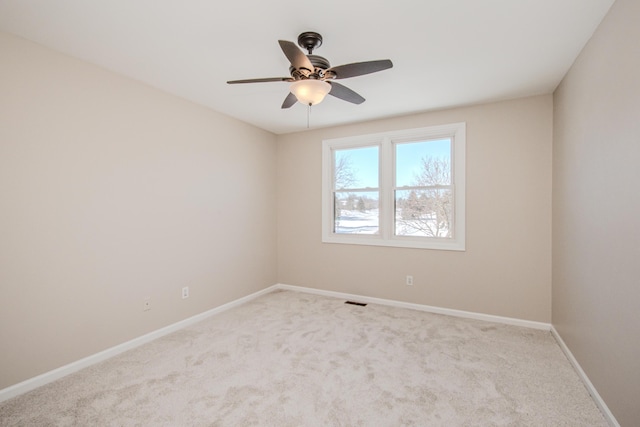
(431, 309)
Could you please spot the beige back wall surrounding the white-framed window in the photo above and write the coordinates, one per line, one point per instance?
(506, 269)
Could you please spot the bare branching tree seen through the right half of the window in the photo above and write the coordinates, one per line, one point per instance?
(426, 207)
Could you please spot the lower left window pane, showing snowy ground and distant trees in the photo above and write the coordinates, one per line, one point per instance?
(356, 212)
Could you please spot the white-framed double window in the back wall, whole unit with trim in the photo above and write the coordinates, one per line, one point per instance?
(402, 188)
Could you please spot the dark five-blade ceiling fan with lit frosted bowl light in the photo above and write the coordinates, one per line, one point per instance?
(312, 76)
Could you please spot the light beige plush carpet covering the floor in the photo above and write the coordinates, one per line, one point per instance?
(297, 359)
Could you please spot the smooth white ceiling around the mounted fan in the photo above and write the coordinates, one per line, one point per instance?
(445, 52)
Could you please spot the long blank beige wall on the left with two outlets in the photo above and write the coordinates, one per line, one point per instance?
(112, 191)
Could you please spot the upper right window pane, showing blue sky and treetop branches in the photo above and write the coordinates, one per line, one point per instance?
(424, 163)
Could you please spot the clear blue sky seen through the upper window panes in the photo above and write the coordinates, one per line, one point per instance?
(364, 161)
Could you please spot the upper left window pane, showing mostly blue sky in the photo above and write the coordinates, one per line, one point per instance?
(356, 168)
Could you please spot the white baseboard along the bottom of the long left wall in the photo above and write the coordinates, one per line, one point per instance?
(47, 377)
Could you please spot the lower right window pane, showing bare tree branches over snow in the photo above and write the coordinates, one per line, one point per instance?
(424, 213)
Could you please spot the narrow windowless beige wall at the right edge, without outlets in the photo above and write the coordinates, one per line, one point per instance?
(596, 210)
